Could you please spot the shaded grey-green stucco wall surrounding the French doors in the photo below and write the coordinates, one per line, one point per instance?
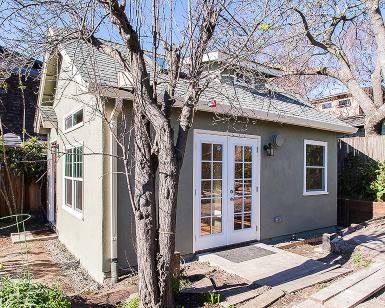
(281, 185)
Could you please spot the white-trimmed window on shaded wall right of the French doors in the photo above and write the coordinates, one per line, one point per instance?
(315, 171)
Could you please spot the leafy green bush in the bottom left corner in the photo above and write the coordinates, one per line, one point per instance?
(27, 293)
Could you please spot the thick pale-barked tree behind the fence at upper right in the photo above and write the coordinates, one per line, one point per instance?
(372, 106)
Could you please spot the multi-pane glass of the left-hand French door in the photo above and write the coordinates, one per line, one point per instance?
(211, 188)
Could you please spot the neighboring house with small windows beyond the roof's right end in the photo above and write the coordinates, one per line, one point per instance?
(346, 108)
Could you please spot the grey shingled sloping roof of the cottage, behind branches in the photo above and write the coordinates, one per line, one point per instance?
(102, 69)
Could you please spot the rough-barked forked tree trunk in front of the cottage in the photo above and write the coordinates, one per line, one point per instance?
(155, 260)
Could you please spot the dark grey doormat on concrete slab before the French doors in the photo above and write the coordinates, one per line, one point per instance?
(245, 253)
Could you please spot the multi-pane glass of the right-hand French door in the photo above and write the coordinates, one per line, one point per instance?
(243, 183)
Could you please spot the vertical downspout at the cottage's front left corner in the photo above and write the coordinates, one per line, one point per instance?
(114, 190)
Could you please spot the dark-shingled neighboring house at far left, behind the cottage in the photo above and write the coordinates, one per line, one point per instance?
(12, 109)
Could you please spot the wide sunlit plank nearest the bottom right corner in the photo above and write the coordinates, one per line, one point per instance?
(359, 292)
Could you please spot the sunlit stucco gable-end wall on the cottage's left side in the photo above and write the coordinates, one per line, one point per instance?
(82, 236)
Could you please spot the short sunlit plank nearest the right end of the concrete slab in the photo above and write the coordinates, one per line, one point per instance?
(310, 280)
